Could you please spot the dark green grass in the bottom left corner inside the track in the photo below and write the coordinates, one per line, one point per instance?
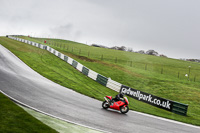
(15, 119)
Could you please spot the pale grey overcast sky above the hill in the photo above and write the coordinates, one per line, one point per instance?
(170, 27)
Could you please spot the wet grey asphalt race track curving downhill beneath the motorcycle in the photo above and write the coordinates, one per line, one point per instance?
(25, 85)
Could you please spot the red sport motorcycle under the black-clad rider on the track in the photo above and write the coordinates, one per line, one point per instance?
(119, 105)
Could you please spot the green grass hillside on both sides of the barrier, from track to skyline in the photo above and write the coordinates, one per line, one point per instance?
(162, 77)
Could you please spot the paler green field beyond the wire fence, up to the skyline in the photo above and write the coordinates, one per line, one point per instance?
(170, 68)
